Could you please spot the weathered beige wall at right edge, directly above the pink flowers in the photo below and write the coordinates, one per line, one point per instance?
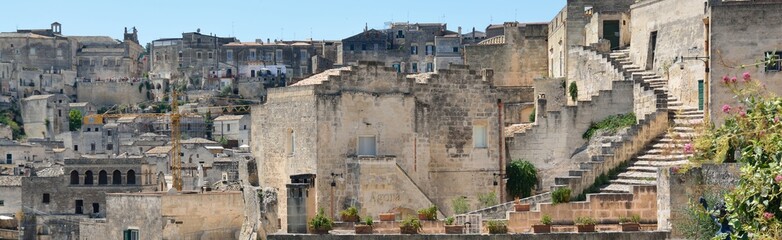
(741, 33)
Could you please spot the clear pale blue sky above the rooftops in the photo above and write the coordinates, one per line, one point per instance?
(261, 19)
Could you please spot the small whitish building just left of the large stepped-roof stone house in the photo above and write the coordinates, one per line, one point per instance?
(233, 127)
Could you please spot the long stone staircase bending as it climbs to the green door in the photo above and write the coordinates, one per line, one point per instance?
(667, 149)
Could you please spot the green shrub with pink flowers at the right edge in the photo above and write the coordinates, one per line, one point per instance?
(752, 136)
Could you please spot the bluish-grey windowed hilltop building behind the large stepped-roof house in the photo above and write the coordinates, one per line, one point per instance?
(409, 48)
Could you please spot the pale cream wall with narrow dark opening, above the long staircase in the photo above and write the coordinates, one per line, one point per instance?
(680, 32)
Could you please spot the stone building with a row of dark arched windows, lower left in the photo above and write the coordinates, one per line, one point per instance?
(56, 203)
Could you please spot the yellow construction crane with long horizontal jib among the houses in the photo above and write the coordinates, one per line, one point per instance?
(175, 117)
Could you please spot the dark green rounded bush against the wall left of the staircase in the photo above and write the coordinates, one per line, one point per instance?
(522, 177)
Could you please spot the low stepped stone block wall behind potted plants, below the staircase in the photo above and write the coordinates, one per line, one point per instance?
(604, 208)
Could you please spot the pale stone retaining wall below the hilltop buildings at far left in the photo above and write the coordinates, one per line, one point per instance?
(110, 93)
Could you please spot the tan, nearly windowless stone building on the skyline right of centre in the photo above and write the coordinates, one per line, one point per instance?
(517, 57)
